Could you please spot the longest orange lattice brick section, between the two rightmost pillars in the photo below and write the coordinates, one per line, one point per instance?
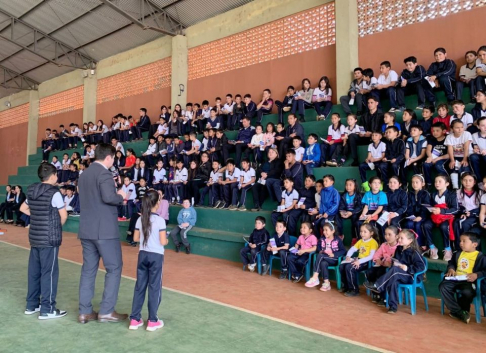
(304, 31)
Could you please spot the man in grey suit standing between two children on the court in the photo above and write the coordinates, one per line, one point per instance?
(99, 235)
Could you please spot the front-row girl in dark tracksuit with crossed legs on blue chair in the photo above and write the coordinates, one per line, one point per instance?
(409, 262)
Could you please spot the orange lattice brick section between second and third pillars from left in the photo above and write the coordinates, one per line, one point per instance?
(140, 80)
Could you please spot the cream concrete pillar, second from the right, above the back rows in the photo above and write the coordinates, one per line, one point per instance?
(179, 71)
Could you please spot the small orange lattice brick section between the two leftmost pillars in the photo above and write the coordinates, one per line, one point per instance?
(62, 102)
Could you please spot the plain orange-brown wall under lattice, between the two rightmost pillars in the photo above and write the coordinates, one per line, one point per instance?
(276, 75)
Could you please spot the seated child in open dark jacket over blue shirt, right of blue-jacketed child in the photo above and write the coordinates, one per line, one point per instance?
(350, 207)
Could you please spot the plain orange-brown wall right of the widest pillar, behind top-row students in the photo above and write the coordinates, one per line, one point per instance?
(457, 33)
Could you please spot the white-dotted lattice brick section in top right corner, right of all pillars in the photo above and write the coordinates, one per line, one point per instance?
(376, 16)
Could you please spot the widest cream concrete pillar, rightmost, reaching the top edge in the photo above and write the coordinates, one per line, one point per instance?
(346, 43)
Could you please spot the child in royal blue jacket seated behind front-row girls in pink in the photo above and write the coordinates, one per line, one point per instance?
(328, 208)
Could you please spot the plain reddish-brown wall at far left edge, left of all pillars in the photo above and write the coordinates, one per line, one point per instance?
(13, 147)
